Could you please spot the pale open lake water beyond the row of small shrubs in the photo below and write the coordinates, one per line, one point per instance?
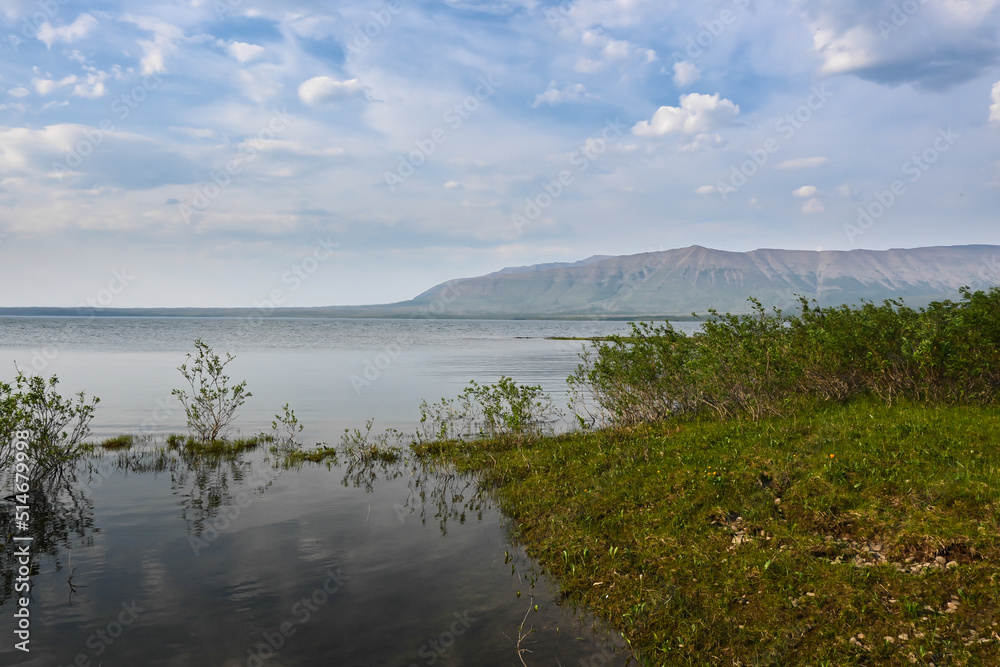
(334, 373)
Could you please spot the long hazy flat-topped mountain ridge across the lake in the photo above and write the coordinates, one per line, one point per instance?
(679, 282)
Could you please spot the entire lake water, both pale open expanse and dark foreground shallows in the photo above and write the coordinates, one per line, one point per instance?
(143, 559)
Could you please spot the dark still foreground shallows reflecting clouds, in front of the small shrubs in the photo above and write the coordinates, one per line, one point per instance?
(257, 537)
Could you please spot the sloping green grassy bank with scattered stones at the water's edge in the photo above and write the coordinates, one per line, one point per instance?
(771, 542)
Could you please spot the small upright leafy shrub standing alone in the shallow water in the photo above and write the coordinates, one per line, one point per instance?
(212, 404)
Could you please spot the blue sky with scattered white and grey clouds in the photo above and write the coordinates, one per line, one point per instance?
(258, 153)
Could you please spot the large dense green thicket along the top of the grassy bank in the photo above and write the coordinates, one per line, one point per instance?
(760, 364)
